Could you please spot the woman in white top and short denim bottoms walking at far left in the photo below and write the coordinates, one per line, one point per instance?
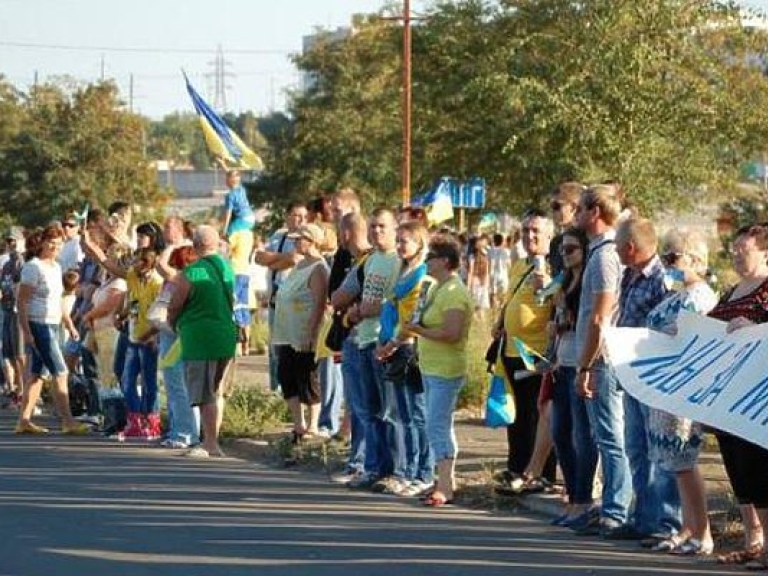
(40, 317)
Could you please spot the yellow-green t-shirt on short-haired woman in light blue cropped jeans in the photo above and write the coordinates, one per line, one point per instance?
(447, 360)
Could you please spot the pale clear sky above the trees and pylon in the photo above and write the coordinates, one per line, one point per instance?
(151, 41)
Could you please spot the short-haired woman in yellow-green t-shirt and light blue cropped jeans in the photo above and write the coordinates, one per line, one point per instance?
(443, 332)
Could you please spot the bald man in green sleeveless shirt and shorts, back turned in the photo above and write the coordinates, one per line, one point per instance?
(201, 312)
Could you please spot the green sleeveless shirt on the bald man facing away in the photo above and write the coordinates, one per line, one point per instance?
(205, 325)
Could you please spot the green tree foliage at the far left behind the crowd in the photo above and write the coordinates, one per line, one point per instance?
(63, 145)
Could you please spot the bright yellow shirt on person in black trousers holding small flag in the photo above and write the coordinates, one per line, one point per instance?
(524, 318)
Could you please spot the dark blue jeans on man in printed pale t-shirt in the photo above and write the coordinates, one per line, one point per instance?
(383, 431)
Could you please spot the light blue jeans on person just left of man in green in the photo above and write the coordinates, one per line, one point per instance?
(183, 427)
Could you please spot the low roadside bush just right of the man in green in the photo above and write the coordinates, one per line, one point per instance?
(251, 411)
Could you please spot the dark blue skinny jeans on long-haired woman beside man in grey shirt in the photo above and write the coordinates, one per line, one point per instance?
(572, 436)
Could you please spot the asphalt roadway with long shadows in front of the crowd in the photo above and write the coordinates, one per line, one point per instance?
(88, 506)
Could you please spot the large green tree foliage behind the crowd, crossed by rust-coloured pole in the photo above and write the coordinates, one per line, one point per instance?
(666, 96)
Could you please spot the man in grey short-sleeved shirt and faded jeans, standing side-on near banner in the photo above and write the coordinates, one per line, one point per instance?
(597, 214)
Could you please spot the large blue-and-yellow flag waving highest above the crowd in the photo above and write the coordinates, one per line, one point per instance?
(220, 139)
